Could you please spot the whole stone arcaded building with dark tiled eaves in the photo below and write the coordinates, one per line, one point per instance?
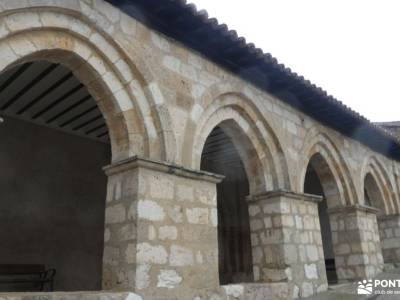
(226, 175)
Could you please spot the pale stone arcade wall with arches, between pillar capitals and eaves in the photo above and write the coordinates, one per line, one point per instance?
(178, 94)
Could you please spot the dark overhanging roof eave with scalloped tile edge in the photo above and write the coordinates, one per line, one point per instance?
(182, 21)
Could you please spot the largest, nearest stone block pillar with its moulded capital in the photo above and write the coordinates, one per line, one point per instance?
(161, 230)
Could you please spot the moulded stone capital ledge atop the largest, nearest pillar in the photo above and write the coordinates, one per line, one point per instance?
(164, 167)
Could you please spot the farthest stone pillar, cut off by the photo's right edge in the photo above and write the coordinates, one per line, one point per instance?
(389, 233)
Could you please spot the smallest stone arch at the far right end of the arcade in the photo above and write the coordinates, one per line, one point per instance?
(381, 188)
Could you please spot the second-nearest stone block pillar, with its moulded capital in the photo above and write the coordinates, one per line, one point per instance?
(286, 241)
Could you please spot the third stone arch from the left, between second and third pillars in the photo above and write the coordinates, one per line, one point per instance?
(319, 145)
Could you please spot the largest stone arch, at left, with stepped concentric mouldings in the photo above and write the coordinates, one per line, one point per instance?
(126, 100)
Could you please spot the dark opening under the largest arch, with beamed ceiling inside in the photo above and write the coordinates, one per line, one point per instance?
(55, 142)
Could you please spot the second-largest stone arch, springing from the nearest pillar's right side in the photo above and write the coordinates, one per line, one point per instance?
(263, 158)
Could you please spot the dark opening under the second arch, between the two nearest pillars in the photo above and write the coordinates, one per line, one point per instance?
(221, 156)
